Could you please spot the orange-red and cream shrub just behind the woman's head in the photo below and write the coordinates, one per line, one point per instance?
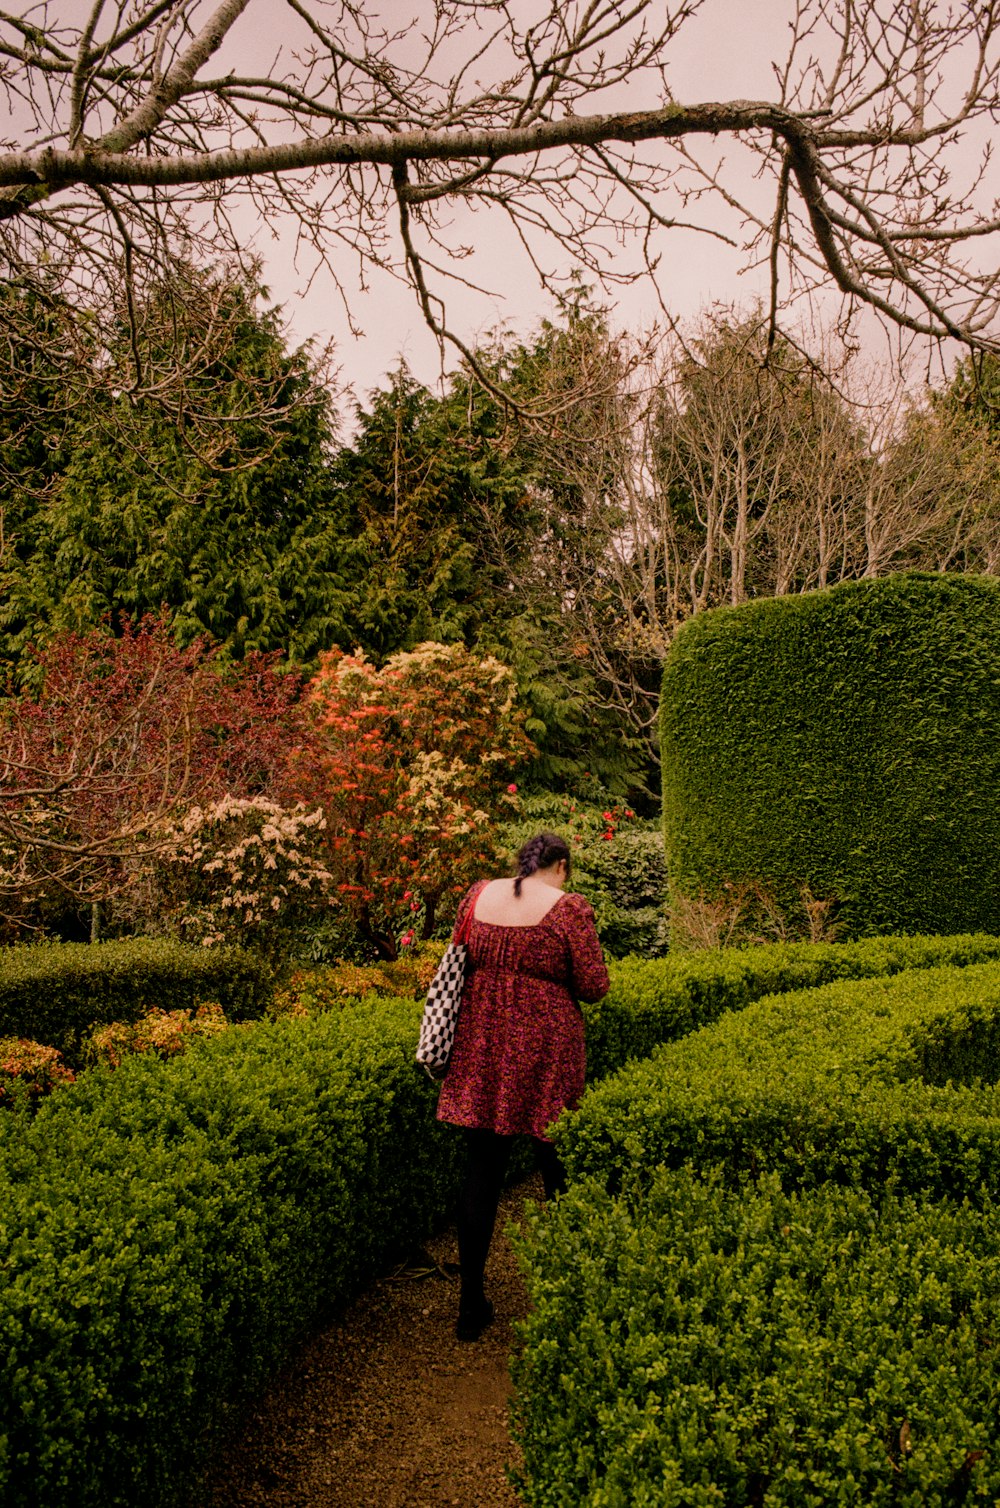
(414, 765)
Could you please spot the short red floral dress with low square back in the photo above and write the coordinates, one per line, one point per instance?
(520, 1058)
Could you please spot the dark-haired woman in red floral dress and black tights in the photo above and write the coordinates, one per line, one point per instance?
(518, 1056)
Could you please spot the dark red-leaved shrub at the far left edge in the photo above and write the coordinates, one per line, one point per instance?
(123, 735)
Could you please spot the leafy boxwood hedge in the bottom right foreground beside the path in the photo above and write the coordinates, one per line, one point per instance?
(696, 1346)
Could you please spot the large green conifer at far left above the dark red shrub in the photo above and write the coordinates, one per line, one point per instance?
(221, 510)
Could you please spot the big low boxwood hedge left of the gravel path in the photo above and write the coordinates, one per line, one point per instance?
(168, 1230)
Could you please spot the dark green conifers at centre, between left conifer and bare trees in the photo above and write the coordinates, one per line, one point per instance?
(468, 533)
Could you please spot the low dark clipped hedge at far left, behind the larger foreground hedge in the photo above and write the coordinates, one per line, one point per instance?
(55, 993)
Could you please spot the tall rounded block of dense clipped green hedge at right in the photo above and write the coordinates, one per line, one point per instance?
(848, 741)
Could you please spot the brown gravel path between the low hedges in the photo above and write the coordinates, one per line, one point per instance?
(387, 1408)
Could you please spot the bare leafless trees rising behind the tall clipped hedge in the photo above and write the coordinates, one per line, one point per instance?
(681, 476)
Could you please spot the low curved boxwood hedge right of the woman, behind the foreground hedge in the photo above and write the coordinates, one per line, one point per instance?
(836, 1083)
